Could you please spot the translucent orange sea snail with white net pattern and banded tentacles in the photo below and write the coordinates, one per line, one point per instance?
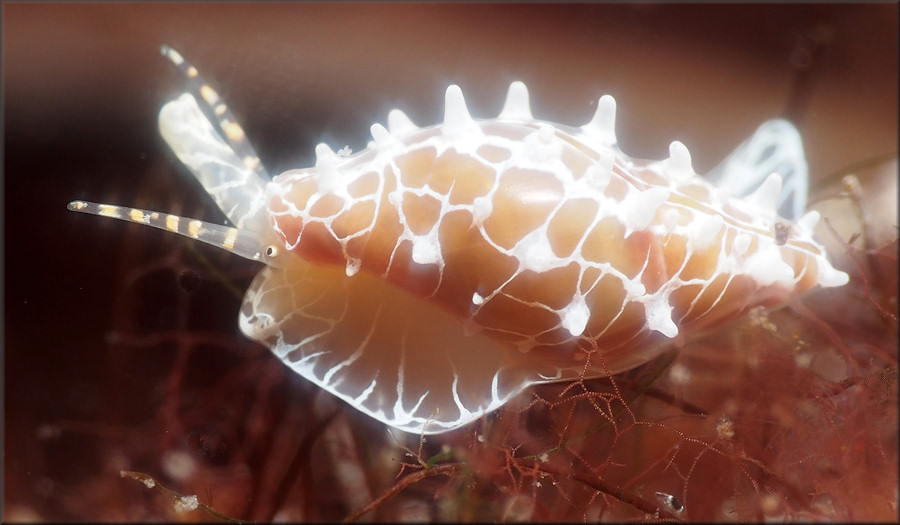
(431, 277)
